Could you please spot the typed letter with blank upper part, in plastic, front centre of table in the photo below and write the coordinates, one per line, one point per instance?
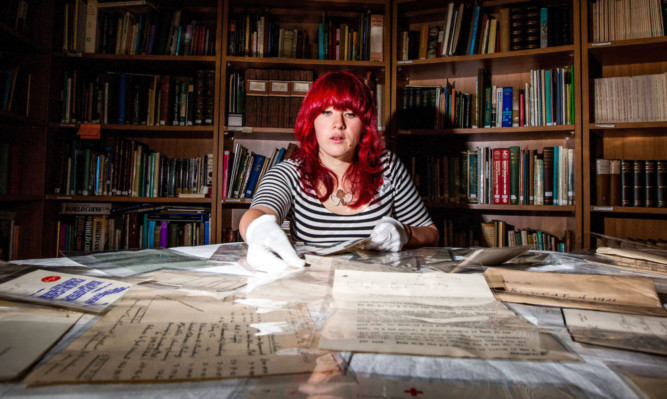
(432, 314)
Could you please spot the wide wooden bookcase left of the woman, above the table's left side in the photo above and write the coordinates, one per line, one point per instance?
(180, 141)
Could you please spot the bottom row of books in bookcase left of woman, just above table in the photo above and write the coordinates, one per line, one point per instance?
(96, 227)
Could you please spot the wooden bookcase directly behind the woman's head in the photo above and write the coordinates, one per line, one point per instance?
(304, 16)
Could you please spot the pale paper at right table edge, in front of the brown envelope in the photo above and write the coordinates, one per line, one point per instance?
(634, 332)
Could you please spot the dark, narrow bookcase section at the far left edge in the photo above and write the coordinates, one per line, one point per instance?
(25, 52)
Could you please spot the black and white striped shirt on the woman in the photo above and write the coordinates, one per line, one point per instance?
(310, 222)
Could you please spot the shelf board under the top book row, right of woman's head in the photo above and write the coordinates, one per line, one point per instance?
(495, 63)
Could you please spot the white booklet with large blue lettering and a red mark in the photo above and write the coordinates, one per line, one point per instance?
(47, 287)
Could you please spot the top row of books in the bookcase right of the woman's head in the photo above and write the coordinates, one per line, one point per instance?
(470, 29)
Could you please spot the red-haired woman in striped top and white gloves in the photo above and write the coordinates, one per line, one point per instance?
(339, 185)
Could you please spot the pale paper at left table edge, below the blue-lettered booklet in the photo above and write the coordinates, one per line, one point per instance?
(26, 333)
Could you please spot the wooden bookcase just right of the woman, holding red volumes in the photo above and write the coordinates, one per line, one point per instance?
(505, 68)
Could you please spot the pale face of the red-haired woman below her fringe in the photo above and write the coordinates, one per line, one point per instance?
(338, 133)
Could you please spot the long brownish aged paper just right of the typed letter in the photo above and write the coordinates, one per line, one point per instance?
(584, 291)
